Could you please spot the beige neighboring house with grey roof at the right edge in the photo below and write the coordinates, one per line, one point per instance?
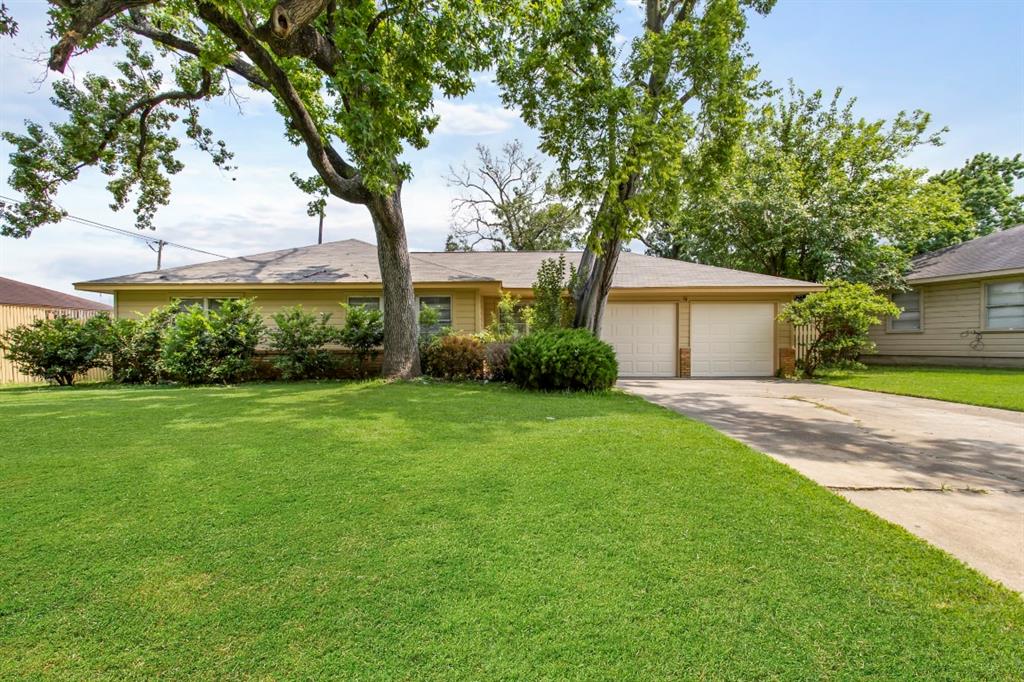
(966, 307)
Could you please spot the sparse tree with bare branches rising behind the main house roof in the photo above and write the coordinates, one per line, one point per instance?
(507, 204)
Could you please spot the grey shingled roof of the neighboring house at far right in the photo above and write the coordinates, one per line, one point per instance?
(994, 253)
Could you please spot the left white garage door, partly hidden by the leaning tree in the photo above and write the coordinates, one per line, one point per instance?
(644, 336)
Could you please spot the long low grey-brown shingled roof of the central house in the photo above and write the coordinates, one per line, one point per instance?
(353, 262)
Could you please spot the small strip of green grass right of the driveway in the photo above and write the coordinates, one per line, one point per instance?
(993, 389)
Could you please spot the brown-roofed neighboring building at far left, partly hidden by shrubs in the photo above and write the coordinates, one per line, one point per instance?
(22, 304)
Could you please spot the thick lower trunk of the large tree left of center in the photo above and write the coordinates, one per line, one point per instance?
(402, 352)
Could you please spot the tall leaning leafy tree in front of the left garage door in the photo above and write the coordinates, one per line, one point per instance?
(619, 120)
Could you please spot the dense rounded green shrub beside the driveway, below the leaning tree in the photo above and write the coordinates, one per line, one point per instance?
(564, 360)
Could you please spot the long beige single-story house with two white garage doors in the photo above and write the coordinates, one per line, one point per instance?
(665, 318)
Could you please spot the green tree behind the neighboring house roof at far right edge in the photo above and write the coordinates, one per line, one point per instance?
(988, 186)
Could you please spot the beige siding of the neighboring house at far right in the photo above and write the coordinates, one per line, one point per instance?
(949, 310)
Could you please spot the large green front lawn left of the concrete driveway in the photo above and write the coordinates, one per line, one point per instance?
(424, 532)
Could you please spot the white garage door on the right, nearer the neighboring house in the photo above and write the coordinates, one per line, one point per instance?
(733, 339)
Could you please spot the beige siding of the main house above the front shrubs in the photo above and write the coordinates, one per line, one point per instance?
(271, 302)
